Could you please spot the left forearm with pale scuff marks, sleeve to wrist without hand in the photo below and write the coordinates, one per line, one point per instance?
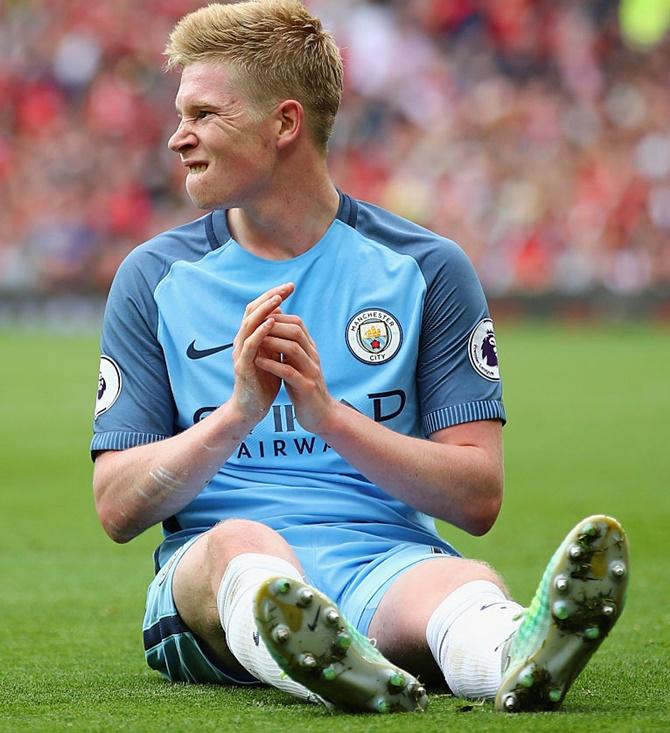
(136, 488)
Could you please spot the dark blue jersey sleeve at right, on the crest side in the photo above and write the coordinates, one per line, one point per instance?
(457, 370)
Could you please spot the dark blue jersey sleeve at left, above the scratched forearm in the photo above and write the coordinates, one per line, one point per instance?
(134, 403)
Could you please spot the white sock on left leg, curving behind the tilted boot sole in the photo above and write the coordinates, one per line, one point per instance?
(235, 600)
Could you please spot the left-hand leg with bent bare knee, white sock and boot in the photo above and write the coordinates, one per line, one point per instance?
(222, 587)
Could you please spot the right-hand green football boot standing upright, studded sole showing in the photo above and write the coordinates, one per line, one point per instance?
(579, 599)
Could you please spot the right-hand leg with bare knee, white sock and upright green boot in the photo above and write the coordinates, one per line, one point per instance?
(477, 637)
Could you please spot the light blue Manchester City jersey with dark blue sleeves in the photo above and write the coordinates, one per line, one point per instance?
(403, 333)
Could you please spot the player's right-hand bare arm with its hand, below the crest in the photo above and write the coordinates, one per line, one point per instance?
(457, 475)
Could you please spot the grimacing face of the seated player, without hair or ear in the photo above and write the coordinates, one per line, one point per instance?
(228, 152)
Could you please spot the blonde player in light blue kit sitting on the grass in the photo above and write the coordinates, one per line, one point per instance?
(295, 385)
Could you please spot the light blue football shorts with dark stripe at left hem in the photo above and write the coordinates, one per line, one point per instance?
(350, 566)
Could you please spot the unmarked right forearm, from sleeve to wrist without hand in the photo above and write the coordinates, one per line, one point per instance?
(459, 483)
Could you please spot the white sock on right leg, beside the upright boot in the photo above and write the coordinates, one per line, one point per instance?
(467, 633)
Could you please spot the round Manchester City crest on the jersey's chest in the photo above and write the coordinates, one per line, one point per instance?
(374, 336)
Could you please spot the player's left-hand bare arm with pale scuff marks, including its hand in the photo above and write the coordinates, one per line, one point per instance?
(136, 488)
